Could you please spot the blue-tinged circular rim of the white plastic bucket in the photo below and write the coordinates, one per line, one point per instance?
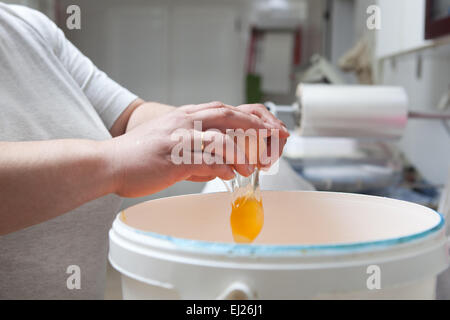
(229, 248)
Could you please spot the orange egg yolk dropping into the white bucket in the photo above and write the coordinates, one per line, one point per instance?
(247, 219)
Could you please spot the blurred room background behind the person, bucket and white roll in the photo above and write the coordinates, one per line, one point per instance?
(236, 51)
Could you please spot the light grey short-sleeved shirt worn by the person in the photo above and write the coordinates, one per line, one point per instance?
(50, 90)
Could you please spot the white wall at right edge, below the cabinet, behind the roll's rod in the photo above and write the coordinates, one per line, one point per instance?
(425, 143)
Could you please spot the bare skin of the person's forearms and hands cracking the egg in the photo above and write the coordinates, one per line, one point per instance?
(40, 180)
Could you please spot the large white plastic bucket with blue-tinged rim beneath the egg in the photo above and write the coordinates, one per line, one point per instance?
(314, 245)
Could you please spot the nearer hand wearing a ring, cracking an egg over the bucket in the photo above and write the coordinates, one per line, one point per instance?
(142, 158)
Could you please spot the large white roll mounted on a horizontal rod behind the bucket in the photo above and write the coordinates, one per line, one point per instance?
(357, 111)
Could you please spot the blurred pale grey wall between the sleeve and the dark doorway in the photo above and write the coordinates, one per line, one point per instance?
(177, 52)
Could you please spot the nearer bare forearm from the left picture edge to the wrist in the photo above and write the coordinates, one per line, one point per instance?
(43, 179)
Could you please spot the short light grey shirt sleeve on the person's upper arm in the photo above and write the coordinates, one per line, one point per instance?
(107, 97)
